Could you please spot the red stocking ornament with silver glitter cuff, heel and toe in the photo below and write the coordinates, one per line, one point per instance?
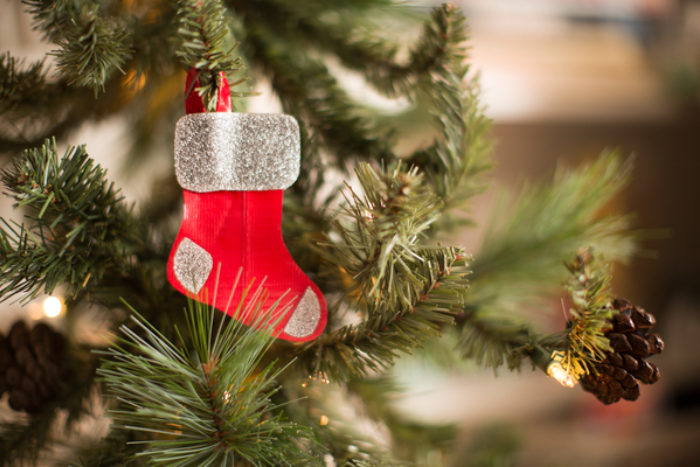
(233, 168)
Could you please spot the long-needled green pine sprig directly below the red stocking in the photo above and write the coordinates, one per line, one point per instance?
(204, 400)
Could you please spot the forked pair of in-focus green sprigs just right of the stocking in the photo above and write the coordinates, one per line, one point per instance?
(406, 290)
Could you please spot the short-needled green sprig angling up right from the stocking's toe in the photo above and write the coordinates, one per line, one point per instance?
(386, 332)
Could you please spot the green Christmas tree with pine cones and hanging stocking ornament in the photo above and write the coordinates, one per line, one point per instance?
(368, 222)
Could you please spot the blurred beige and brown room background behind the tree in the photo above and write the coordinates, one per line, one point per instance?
(563, 80)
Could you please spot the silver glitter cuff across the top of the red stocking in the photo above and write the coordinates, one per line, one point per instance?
(236, 151)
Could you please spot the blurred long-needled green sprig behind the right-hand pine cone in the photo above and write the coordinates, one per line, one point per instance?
(516, 264)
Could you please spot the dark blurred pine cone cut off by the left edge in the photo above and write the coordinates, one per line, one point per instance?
(31, 362)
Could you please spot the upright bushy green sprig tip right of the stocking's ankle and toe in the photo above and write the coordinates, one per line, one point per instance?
(386, 226)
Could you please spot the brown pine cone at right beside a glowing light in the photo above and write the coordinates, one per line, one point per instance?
(618, 376)
